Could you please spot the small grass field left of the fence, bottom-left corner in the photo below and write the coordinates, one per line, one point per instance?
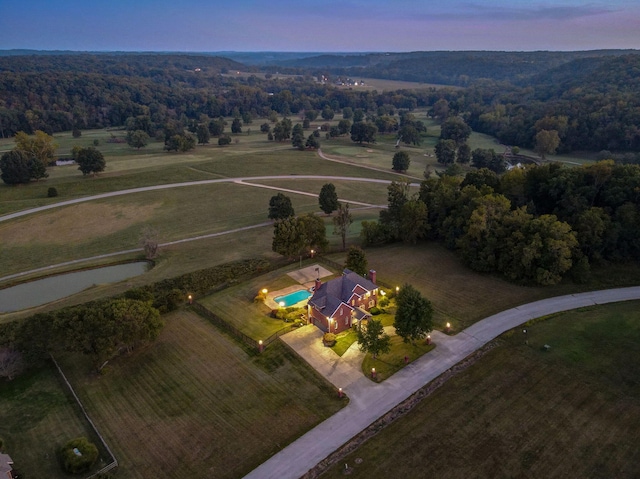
(37, 418)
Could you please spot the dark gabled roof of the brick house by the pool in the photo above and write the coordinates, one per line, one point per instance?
(330, 295)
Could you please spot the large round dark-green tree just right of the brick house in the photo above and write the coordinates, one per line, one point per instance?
(414, 314)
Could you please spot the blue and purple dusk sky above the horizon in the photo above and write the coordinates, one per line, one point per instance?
(322, 25)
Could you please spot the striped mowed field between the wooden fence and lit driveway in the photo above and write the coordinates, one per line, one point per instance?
(195, 404)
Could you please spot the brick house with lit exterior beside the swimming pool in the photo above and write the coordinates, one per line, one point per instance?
(342, 302)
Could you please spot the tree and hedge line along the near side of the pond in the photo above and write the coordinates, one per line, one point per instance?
(103, 330)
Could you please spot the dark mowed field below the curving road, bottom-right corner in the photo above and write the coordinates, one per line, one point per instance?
(521, 411)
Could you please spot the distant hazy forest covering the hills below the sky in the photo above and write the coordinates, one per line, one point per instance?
(592, 99)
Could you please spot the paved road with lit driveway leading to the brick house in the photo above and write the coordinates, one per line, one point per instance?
(370, 401)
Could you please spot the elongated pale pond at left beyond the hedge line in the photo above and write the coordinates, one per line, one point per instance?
(42, 291)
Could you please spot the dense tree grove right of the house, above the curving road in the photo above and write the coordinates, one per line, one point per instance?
(531, 225)
